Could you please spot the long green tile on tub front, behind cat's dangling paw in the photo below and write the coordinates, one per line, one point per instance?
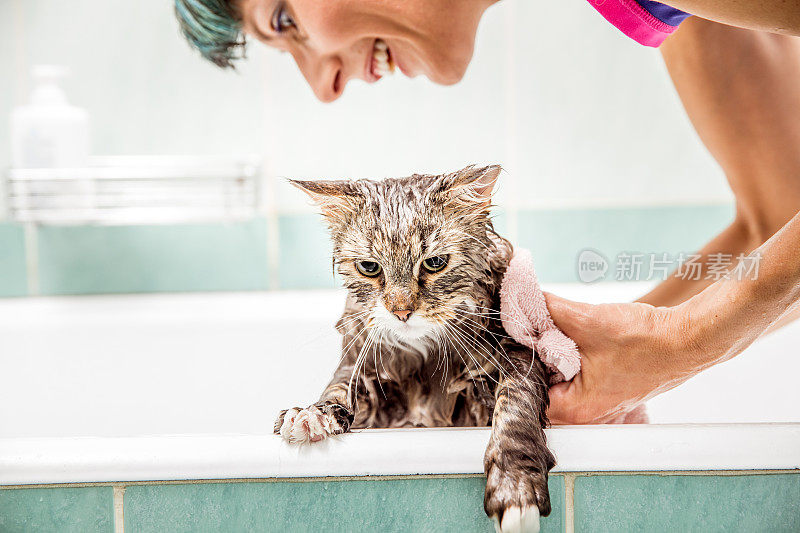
(427, 504)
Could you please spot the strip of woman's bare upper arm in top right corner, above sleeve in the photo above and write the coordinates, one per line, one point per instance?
(775, 16)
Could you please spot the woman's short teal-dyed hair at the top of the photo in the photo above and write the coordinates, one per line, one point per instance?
(214, 28)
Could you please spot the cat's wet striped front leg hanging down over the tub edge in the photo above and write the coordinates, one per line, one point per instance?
(517, 460)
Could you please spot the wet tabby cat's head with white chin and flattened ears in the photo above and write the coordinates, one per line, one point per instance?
(413, 252)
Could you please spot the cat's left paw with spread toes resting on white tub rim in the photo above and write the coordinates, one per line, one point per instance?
(312, 424)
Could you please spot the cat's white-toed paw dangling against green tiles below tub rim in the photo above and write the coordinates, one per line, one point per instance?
(515, 499)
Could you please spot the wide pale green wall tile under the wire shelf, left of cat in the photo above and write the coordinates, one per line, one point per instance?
(120, 259)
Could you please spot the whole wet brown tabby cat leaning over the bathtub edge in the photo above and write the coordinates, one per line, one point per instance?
(423, 344)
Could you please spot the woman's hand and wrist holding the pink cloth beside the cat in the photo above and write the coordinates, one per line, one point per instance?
(630, 353)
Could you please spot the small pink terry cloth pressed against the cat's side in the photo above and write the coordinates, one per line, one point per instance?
(526, 318)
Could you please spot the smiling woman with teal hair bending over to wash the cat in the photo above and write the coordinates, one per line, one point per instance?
(739, 80)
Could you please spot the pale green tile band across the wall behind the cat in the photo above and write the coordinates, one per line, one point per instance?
(208, 257)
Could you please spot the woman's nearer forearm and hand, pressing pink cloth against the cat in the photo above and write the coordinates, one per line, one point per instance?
(632, 352)
